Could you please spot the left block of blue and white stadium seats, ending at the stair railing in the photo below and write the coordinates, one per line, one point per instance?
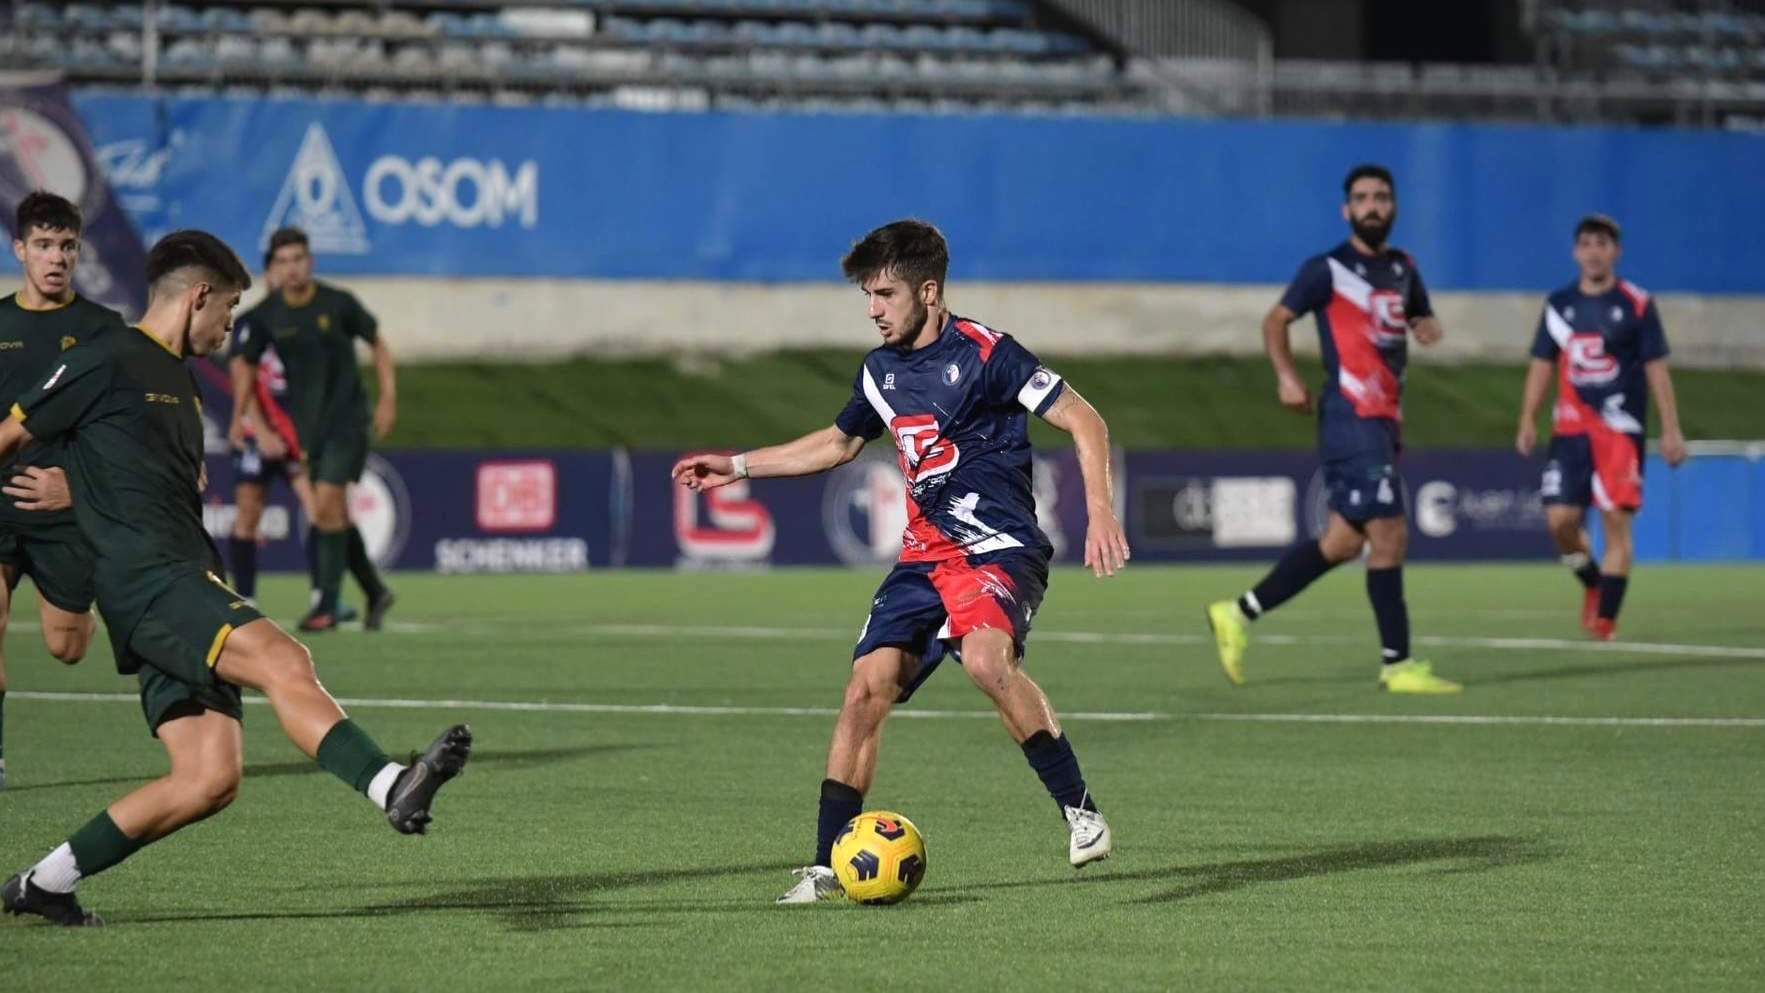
(650, 54)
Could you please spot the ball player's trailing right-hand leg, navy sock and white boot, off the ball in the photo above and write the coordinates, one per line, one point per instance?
(995, 666)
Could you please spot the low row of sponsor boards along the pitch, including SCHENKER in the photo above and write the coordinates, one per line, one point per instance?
(546, 512)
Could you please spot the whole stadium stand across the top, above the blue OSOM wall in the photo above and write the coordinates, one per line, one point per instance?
(1697, 63)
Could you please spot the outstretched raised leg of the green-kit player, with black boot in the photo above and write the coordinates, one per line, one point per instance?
(262, 657)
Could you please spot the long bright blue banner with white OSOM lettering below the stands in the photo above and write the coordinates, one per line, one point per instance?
(394, 188)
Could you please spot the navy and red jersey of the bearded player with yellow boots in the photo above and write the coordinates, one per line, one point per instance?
(1363, 306)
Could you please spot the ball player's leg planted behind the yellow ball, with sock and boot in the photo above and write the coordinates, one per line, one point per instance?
(871, 692)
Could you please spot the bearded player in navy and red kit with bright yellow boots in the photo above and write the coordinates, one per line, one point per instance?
(1369, 299)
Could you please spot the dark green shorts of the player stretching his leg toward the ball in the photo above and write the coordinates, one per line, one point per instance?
(177, 643)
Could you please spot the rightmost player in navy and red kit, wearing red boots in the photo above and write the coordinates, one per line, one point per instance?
(1602, 338)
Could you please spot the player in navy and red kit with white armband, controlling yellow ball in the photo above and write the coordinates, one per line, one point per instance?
(956, 398)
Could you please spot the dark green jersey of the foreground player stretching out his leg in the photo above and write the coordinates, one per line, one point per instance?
(128, 410)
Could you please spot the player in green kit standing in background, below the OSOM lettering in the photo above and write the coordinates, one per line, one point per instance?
(315, 329)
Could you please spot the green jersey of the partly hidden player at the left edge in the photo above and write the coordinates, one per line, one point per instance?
(31, 343)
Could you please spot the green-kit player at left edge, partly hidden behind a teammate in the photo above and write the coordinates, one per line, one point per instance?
(36, 325)
